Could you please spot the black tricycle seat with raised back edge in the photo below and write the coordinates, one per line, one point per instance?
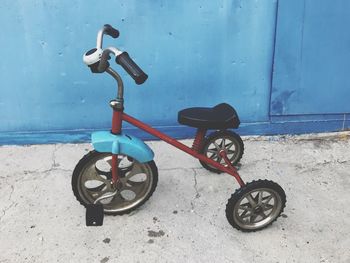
(222, 116)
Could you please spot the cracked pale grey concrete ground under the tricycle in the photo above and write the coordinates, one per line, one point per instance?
(184, 221)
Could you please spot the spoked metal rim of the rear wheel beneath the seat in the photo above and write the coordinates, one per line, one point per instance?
(224, 143)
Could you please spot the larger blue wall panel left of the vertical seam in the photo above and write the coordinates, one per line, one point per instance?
(196, 53)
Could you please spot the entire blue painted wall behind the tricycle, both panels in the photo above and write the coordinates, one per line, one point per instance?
(197, 53)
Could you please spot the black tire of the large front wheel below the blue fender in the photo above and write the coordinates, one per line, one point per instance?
(93, 154)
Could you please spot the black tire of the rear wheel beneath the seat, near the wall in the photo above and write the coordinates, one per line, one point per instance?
(217, 135)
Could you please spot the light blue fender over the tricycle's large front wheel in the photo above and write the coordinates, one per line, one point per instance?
(104, 141)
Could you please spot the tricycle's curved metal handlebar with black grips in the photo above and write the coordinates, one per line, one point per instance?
(121, 58)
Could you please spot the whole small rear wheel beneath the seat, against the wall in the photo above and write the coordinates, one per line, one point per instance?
(225, 140)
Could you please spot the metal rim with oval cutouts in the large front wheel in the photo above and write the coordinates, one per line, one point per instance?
(134, 185)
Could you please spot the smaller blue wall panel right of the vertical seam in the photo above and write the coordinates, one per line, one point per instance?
(312, 58)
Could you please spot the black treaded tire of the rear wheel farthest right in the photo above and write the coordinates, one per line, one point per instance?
(254, 185)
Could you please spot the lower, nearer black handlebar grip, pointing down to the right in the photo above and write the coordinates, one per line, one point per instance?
(131, 67)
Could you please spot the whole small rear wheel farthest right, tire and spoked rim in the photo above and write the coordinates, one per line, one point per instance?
(255, 206)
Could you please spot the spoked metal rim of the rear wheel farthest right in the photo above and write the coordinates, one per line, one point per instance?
(257, 208)
